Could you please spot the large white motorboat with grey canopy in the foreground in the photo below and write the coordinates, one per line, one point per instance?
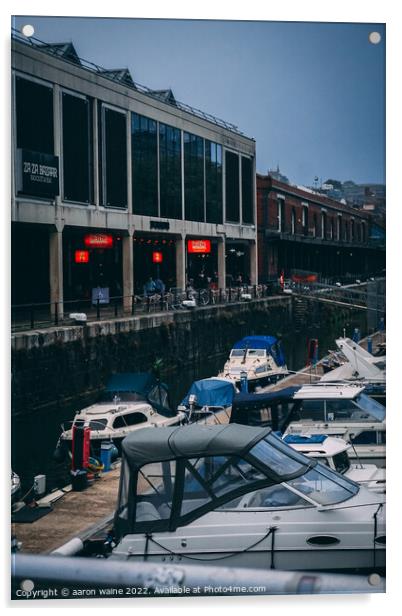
(234, 495)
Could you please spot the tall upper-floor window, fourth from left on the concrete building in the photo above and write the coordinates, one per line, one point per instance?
(144, 146)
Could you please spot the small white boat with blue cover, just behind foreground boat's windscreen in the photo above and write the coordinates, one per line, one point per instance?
(333, 452)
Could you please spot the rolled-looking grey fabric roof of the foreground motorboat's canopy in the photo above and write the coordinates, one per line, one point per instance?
(146, 446)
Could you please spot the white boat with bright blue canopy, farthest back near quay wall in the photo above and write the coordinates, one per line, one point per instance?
(258, 359)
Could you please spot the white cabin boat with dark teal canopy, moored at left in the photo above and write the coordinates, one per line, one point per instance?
(131, 401)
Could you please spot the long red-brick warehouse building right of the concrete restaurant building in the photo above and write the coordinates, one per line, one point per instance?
(304, 230)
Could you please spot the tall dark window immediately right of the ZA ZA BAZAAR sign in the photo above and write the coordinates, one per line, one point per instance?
(77, 149)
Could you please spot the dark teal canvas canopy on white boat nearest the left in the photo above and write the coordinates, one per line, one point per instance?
(145, 385)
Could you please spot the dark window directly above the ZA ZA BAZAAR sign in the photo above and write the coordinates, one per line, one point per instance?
(34, 108)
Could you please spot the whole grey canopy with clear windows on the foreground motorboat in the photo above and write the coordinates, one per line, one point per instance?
(172, 476)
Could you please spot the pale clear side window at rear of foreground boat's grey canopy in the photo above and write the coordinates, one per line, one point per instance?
(155, 485)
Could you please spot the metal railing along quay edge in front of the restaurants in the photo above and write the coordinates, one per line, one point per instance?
(43, 315)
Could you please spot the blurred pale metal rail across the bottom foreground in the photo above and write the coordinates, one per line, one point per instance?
(64, 575)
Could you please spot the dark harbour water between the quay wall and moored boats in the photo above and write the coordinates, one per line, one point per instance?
(34, 437)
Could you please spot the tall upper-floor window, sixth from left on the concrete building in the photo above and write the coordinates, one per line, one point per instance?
(194, 177)
